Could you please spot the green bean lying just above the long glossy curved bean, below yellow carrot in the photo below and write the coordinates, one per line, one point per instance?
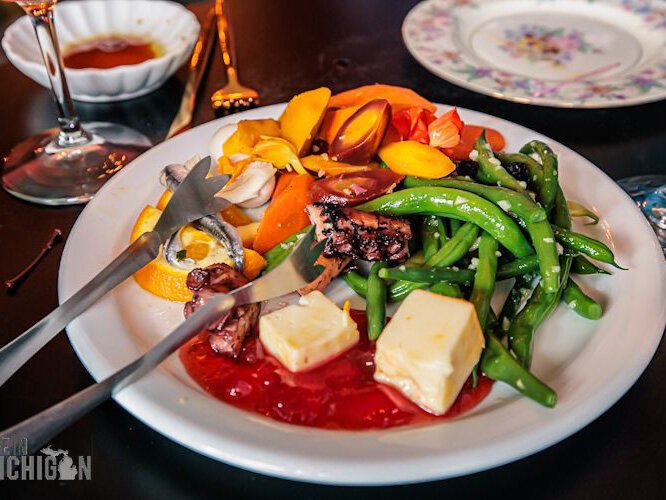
(510, 201)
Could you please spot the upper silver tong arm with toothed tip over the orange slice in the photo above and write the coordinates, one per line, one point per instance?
(193, 199)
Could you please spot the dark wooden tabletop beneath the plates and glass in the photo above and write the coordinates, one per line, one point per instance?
(284, 48)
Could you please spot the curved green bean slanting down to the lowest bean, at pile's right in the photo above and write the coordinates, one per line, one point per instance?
(539, 306)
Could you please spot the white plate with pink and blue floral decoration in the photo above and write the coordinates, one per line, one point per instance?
(564, 53)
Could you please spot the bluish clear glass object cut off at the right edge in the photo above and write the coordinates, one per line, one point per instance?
(649, 193)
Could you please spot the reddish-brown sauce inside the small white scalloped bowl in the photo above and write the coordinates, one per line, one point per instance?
(109, 51)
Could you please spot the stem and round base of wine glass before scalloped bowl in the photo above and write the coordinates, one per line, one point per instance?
(68, 164)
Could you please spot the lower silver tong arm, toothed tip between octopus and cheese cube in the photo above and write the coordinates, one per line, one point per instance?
(294, 273)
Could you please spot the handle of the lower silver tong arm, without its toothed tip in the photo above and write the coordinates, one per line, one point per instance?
(41, 428)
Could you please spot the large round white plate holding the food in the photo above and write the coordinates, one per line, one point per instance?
(590, 364)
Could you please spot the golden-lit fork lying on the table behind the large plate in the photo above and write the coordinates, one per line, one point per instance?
(233, 96)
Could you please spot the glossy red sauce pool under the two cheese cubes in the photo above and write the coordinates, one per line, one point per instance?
(340, 394)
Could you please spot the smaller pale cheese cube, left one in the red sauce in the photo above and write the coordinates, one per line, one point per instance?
(304, 335)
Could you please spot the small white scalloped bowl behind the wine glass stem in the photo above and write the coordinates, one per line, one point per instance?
(169, 24)
